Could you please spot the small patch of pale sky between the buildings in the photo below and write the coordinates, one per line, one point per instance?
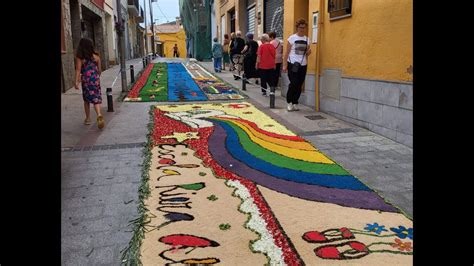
(169, 11)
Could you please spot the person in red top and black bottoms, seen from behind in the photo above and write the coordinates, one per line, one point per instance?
(266, 64)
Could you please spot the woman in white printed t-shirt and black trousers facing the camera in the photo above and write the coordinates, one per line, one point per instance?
(295, 62)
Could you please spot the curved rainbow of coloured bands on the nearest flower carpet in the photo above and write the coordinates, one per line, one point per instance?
(288, 164)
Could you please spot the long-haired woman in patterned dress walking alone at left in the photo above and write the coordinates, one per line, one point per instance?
(88, 70)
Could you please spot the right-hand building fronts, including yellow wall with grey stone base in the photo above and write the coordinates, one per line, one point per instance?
(361, 66)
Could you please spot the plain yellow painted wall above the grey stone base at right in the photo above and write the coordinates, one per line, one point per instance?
(376, 42)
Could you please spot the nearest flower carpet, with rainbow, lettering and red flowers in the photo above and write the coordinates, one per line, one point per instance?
(226, 184)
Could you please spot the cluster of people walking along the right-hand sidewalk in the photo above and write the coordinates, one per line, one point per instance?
(265, 60)
